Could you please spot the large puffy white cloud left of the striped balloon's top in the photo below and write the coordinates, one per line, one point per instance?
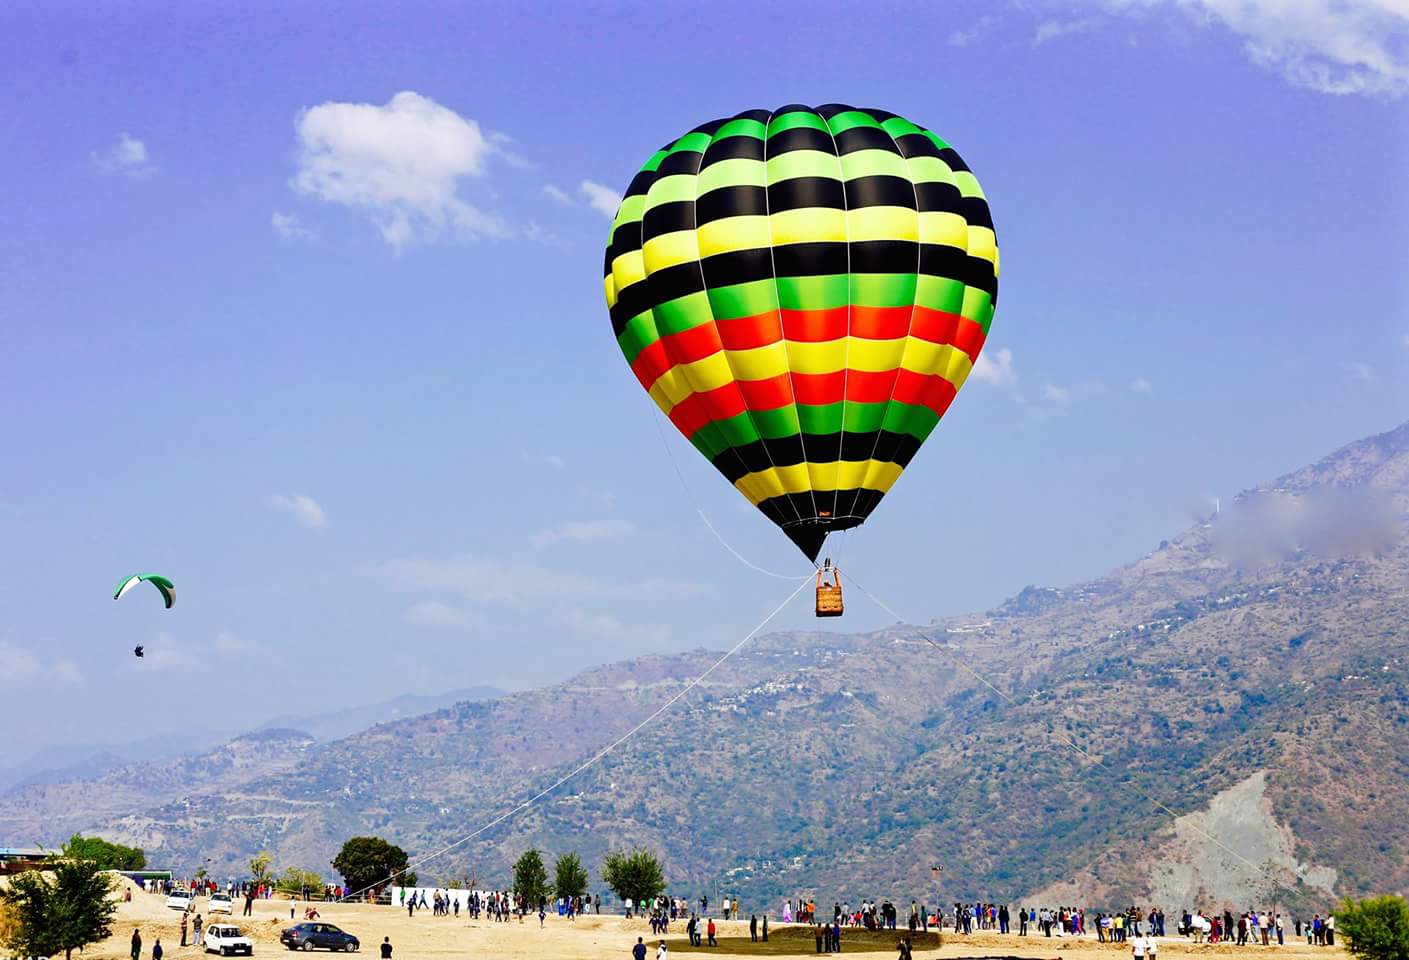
(401, 163)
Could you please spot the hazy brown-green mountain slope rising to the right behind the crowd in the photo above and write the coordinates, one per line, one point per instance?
(1252, 675)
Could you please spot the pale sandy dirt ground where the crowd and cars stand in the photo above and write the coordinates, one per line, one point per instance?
(590, 938)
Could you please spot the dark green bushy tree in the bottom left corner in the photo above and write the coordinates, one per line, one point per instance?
(61, 914)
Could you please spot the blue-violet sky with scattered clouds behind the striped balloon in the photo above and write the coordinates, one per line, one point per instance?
(302, 307)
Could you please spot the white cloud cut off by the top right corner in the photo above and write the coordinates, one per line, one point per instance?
(1335, 47)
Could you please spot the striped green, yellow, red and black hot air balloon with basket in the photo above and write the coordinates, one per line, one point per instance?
(804, 293)
